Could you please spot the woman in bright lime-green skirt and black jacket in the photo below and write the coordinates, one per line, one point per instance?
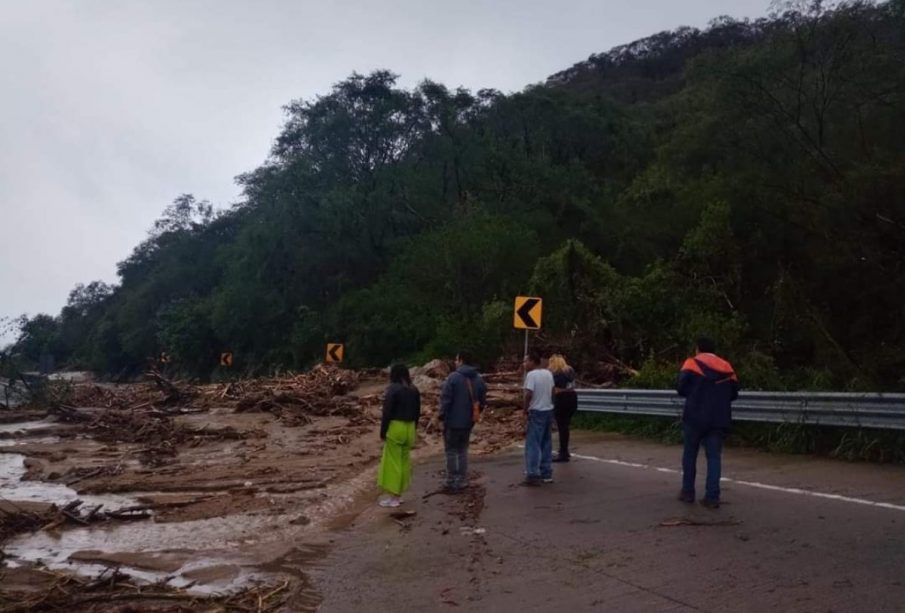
(401, 411)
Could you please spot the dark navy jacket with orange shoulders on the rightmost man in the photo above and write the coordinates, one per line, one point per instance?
(709, 385)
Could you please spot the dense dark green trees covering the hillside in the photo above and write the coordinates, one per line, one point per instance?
(747, 181)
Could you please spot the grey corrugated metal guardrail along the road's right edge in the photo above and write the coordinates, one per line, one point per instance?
(885, 411)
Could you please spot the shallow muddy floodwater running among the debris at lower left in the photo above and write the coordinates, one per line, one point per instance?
(204, 556)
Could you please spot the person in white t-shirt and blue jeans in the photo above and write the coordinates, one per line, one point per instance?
(539, 436)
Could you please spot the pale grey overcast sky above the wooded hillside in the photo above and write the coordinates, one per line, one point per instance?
(110, 109)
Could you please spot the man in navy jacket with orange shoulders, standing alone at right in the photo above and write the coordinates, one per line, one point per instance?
(709, 385)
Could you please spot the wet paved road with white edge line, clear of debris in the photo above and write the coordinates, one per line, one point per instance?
(795, 534)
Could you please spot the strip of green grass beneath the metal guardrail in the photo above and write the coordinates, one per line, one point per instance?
(850, 444)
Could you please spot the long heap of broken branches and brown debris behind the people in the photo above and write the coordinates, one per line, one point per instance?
(146, 413)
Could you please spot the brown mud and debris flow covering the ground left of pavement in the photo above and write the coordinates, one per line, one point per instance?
(164, 496)
